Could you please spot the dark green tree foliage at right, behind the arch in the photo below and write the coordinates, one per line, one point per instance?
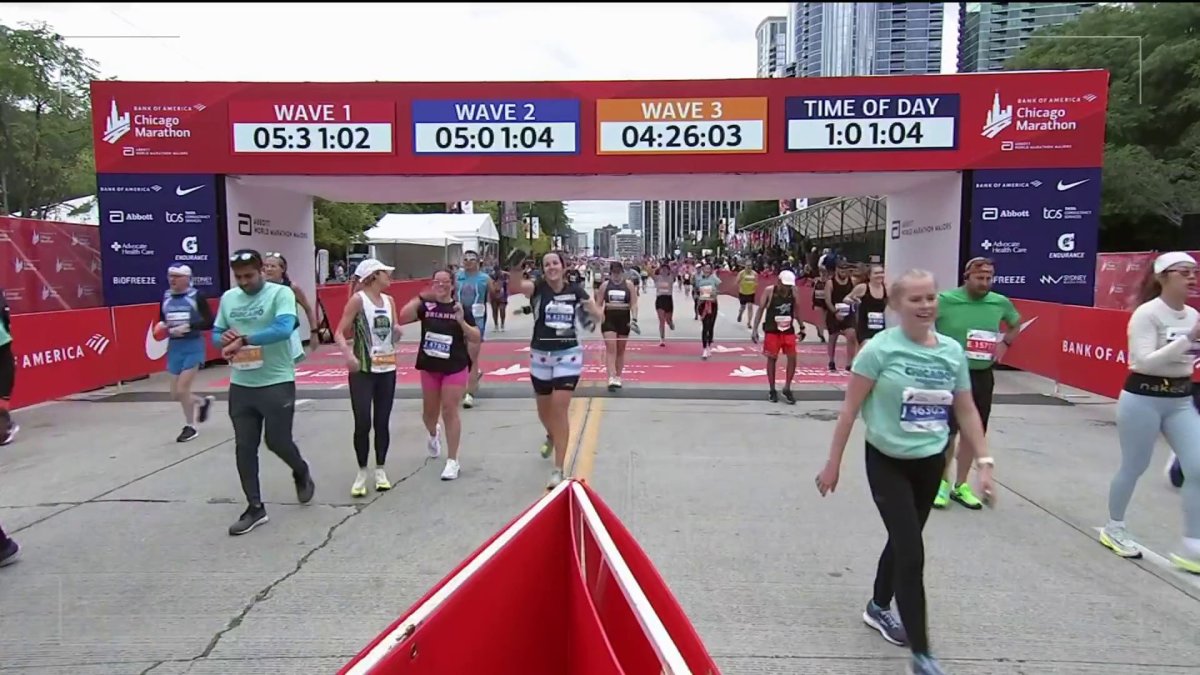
(1153, 153)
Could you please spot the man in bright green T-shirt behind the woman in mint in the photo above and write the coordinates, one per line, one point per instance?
(973, 315)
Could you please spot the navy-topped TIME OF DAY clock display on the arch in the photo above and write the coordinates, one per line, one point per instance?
(926, 122)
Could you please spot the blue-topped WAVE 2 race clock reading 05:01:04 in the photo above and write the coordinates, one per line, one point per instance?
(548, 127)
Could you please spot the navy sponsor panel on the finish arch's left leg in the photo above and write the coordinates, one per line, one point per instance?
(151, 223)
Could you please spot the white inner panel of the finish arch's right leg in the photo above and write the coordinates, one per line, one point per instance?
(923, 229)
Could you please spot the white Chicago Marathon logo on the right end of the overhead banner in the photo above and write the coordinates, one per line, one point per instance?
(1034, 115)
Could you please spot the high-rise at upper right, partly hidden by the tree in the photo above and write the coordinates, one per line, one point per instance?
(991, 33)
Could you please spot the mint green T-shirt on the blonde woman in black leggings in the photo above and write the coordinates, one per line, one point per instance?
(909, 409)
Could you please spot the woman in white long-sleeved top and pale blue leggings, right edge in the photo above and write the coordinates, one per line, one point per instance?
(1165, 333)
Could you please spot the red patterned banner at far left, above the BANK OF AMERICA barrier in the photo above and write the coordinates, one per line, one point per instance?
(49, 266)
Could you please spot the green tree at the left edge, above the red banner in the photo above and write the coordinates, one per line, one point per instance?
(45, 121)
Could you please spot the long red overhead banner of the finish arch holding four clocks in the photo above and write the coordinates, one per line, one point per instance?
(616, 129)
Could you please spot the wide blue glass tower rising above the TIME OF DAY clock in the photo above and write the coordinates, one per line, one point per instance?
(856, 39)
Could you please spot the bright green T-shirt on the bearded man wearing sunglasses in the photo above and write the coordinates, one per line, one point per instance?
(976, 324)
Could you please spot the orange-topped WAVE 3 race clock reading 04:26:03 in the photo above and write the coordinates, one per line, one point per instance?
(675, 127)
